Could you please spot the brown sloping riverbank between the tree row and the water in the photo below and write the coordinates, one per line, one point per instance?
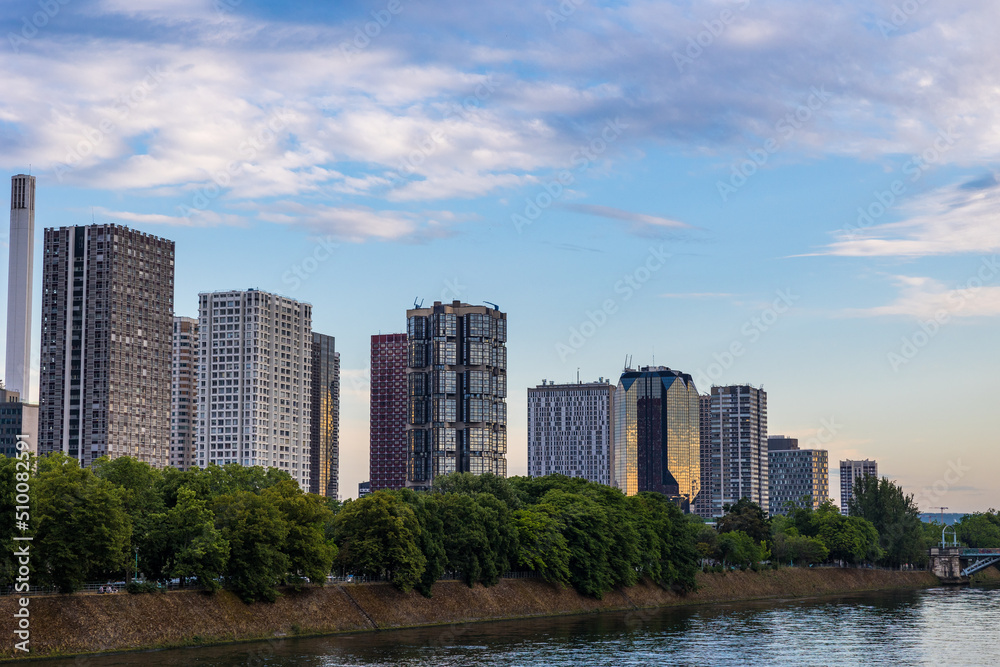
(66, 625)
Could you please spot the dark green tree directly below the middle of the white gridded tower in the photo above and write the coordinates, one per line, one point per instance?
(255, 529)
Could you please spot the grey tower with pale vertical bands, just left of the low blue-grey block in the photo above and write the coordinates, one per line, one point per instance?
(738, 442)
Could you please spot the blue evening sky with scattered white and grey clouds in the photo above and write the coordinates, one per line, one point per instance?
(796, 195)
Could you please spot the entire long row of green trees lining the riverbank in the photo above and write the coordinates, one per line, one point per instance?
(252, 530)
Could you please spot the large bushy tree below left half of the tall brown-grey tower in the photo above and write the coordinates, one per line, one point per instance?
(82, 529)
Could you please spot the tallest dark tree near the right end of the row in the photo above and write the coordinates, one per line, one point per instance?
(895, 517)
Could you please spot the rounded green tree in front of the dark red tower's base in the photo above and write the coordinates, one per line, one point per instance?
(377, 536)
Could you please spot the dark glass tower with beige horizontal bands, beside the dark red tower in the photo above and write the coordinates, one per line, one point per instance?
(457, 388)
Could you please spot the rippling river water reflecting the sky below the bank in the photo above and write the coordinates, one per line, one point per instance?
(942, 626)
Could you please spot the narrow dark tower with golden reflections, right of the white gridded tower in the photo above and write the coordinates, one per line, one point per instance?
(324, 448)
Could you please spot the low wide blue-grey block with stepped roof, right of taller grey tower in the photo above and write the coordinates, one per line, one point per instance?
(799, 476)
